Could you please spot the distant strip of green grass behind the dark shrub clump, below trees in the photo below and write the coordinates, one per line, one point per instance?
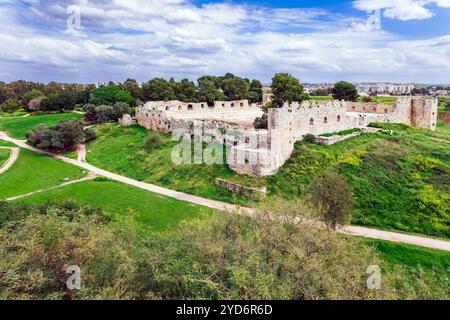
(18, 128)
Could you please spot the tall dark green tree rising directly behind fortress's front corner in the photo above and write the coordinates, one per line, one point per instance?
(286, 88)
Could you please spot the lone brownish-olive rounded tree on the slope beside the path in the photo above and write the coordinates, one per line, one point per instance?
(333, 198)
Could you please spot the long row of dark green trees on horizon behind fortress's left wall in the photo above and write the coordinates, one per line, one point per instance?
(57, 97)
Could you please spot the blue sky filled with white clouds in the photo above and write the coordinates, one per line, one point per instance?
(363, 40)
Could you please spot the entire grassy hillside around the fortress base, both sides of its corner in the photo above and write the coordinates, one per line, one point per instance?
(400, 180)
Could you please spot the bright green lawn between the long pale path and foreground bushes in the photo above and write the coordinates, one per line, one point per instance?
(155, 211)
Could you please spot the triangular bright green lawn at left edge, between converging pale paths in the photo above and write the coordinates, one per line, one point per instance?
(32, 172)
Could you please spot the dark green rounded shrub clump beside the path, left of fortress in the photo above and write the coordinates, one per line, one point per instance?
(62, 137)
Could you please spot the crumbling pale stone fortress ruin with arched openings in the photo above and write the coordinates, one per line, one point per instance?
(262, 152)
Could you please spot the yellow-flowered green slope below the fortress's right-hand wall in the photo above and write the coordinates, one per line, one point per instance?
(400, 181)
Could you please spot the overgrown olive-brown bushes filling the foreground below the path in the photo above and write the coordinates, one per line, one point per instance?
(217, 257)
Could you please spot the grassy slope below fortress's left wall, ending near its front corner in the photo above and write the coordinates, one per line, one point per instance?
(122, 151)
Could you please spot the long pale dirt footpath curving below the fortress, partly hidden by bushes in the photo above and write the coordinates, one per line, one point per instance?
(352, 230)
